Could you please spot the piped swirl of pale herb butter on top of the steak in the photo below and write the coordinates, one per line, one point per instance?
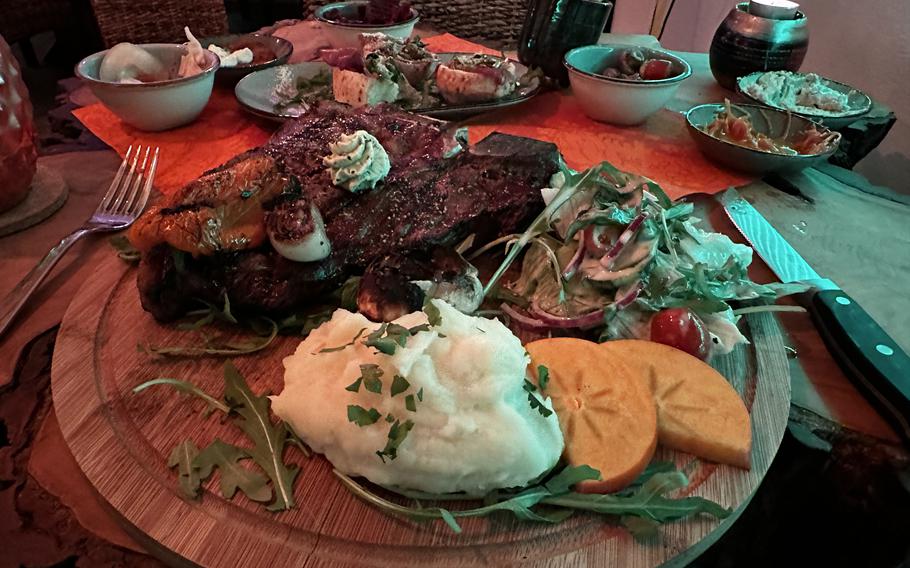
(357, 162)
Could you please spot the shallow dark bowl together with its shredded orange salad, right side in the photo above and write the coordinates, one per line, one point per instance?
(759, 140)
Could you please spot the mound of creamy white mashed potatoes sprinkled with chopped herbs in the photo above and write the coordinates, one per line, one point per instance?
(474, 431)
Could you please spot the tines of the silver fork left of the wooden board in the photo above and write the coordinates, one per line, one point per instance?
(132, 184)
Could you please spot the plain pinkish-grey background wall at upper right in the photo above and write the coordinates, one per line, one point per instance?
(862, 43)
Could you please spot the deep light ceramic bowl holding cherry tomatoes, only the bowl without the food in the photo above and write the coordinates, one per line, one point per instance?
(620, 101)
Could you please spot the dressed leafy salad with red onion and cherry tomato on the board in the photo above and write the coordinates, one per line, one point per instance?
(613, 254)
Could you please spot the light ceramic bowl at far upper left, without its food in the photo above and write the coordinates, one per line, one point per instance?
(158, 105)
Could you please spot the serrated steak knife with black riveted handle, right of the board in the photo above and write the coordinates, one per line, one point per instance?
(872, 360)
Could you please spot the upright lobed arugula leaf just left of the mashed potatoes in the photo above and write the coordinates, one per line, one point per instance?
(252, 416)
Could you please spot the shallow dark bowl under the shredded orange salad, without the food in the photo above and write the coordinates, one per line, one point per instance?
(773, 123)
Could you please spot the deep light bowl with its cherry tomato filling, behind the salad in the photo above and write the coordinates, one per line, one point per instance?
(622, 84)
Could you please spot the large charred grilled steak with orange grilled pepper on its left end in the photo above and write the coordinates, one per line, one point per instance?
(209, 238)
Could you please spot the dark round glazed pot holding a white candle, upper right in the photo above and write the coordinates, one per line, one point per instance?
(745, 43)
